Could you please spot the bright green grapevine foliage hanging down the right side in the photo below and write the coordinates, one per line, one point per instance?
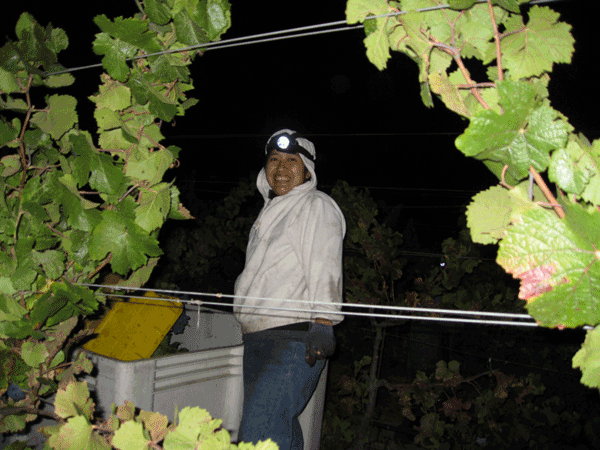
(549, 241)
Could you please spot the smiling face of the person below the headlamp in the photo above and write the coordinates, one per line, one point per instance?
(285, 171)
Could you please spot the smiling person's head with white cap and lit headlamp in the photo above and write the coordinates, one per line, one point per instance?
(285, 168)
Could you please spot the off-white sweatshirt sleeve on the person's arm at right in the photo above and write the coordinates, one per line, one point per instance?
(319, 245)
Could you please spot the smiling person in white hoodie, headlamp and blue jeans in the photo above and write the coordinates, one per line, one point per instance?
(294, 252)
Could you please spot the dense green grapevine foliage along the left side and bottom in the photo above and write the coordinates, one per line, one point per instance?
(75, 204)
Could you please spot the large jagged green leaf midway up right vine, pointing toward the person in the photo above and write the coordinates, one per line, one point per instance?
(522, 136)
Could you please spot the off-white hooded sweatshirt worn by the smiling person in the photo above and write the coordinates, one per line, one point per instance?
(294, 252)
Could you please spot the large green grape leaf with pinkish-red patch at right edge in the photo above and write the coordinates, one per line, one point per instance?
(558, 264)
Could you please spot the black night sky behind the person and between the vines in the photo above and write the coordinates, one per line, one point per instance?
(359, 118)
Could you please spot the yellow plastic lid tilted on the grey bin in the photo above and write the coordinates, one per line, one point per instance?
(133, 330)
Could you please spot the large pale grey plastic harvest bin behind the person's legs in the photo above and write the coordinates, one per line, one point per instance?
(208, 376)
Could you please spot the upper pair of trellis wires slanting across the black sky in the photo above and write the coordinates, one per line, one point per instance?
(277, 35)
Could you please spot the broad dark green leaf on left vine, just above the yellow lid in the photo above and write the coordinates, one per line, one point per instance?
(129, 245)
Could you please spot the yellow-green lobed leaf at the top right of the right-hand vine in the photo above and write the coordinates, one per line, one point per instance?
(529, 51)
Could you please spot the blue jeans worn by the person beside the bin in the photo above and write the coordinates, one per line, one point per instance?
(278, 383)
